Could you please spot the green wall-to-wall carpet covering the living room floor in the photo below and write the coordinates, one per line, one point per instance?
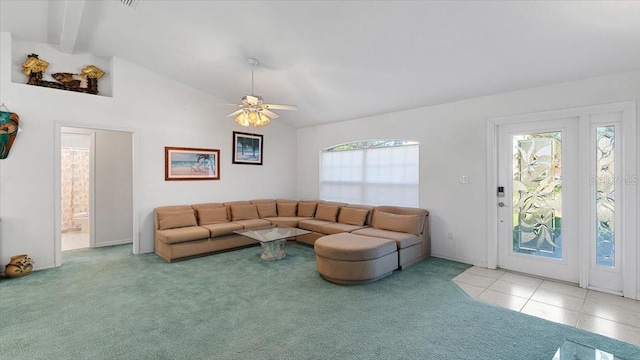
(106, 303)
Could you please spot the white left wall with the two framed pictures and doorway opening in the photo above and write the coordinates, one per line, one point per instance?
(160, 112)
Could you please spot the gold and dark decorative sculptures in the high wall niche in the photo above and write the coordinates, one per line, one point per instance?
(34, 68)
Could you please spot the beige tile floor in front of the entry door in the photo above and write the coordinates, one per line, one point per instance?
(609, 315)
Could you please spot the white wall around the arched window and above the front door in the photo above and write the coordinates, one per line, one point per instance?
(453, 143)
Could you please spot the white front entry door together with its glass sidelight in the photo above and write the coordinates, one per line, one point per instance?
(564, 201)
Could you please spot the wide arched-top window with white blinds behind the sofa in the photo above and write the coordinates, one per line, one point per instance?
(371, 172)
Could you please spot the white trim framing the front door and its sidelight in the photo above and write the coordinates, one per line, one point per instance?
(632, 202)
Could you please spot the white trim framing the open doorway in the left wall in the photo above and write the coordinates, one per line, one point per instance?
(57, 183)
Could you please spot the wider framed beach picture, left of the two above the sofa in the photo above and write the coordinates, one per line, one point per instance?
(191, 164)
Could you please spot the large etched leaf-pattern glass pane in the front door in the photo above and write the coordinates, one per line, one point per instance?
(537, 195)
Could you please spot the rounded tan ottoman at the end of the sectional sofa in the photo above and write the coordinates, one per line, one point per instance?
(347, 258)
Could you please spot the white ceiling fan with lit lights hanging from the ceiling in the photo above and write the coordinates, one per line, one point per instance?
(253, 111)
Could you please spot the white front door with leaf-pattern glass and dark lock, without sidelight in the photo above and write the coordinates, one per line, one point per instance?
(538, 214)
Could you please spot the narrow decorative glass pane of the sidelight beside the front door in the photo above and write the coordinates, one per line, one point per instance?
(605, 196)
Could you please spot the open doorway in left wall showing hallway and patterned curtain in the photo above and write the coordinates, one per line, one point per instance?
(95, 202)
